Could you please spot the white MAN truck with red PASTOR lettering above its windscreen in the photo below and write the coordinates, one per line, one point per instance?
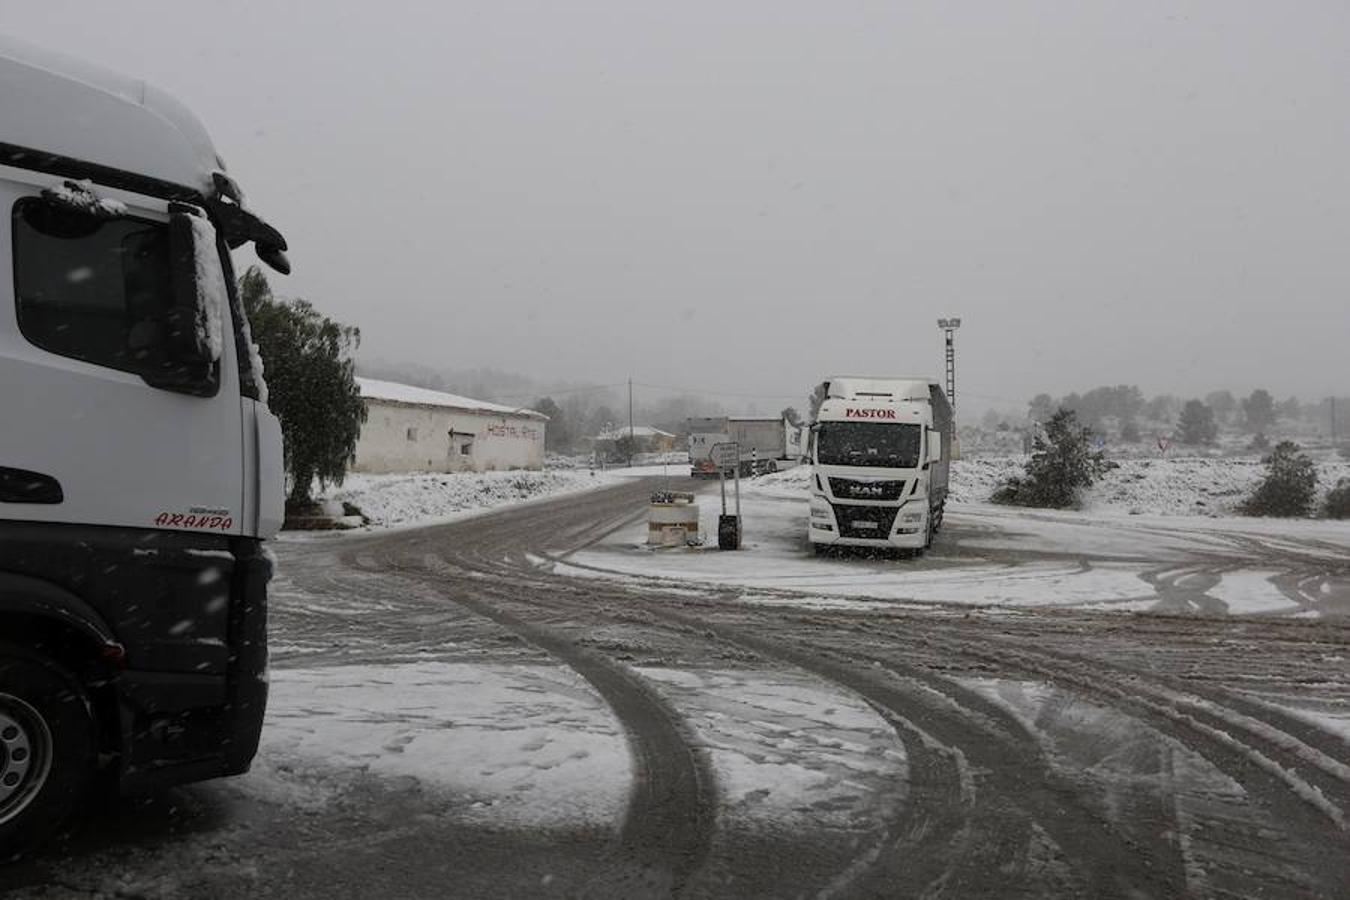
(881, 453)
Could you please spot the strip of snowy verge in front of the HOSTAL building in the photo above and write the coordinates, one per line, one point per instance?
(423, 499)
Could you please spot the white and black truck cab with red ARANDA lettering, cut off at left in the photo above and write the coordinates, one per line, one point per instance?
(140, 466)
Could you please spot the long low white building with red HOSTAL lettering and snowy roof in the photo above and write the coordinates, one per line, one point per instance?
(414, 430)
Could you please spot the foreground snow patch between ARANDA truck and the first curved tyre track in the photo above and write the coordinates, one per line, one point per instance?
(506, 744)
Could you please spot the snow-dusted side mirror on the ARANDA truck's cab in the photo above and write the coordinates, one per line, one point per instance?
(195, 333)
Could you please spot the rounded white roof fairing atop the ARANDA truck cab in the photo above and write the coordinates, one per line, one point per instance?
(59, 105)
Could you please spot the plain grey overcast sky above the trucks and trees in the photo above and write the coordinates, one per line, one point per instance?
(751, 196)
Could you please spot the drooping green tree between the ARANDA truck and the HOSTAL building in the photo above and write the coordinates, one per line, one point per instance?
(311, 385)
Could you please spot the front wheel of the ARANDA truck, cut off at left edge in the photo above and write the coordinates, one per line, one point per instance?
(47, 748)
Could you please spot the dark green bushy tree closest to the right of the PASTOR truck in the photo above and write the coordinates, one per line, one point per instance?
(1063, 462)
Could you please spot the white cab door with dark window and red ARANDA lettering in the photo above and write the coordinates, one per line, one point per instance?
(86, 314)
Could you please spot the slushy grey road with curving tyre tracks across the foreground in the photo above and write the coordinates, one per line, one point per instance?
(511, 706)
